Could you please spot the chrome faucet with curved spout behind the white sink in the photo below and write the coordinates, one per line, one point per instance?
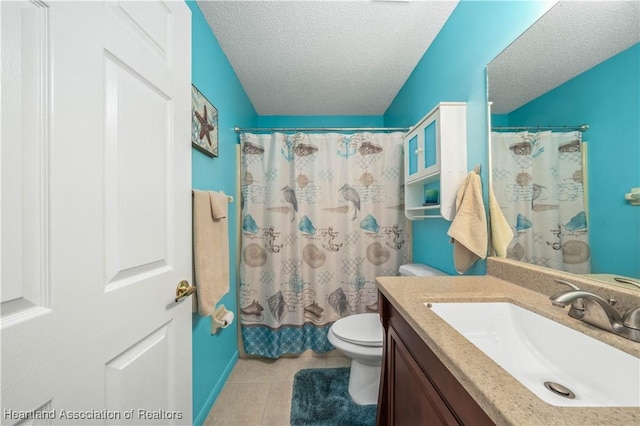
(600, 313)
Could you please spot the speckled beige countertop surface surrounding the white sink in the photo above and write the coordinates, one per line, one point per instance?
(502, 397)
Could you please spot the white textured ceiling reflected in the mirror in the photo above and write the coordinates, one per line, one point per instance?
(568, 40)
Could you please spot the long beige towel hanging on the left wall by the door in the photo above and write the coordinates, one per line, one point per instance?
(210, 249)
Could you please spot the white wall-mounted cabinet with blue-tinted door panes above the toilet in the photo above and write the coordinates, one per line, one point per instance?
(435, 159)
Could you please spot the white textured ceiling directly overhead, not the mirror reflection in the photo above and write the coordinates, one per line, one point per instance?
(324, 57)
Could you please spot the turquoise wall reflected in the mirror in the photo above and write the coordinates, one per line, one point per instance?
(607, 97)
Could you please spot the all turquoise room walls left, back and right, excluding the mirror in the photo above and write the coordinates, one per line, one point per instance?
(453, 69)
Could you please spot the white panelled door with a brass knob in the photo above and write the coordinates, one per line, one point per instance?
(96, 212)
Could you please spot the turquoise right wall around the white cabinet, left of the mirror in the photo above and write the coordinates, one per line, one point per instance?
(454, 69)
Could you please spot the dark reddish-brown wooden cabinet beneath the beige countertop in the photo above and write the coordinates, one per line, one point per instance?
(415, 387)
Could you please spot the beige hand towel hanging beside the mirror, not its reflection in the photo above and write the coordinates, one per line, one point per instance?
(468, 230)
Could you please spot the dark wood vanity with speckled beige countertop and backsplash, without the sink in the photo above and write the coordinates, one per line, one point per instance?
(431, 374)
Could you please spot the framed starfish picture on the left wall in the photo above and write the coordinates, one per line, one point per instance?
(204, 123)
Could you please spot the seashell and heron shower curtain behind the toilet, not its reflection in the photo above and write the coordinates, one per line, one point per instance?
(322, 216)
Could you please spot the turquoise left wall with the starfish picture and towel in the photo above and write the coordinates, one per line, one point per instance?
(215, 355)
